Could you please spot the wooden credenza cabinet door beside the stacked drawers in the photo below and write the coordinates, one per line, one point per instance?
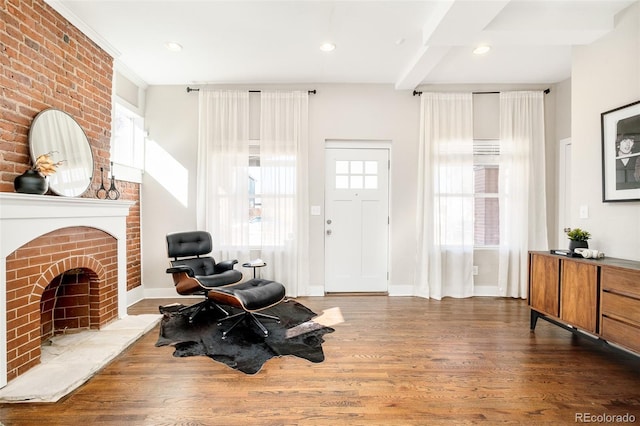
(579, 289)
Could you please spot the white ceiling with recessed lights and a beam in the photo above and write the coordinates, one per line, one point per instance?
(405, 43)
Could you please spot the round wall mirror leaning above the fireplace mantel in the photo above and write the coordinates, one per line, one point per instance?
(57, 132)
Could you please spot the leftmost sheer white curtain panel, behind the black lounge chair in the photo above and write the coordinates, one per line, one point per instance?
(222, 183)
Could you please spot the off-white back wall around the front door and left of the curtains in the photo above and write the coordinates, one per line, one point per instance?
(349, 111)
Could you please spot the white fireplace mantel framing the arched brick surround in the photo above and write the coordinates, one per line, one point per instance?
(24, 217)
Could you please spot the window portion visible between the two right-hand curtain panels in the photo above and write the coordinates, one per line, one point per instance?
(486, 171)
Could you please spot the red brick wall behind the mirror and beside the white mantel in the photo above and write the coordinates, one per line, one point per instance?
(45, 62)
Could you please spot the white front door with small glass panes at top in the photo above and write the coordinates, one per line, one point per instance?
(356, 220)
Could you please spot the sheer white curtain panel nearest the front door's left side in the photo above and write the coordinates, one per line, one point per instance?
(284, 166)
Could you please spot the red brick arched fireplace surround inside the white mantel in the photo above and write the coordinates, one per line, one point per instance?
(32, 267)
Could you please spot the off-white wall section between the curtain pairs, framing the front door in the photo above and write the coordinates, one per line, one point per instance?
(374, 112)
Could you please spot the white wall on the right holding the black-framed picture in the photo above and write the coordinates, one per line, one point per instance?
(605, 75)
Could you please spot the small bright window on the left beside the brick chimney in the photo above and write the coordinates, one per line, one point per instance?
(127, 143)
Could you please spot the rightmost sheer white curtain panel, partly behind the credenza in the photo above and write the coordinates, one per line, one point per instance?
(523, 219)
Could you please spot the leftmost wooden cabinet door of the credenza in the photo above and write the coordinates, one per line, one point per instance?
(544, 295)
